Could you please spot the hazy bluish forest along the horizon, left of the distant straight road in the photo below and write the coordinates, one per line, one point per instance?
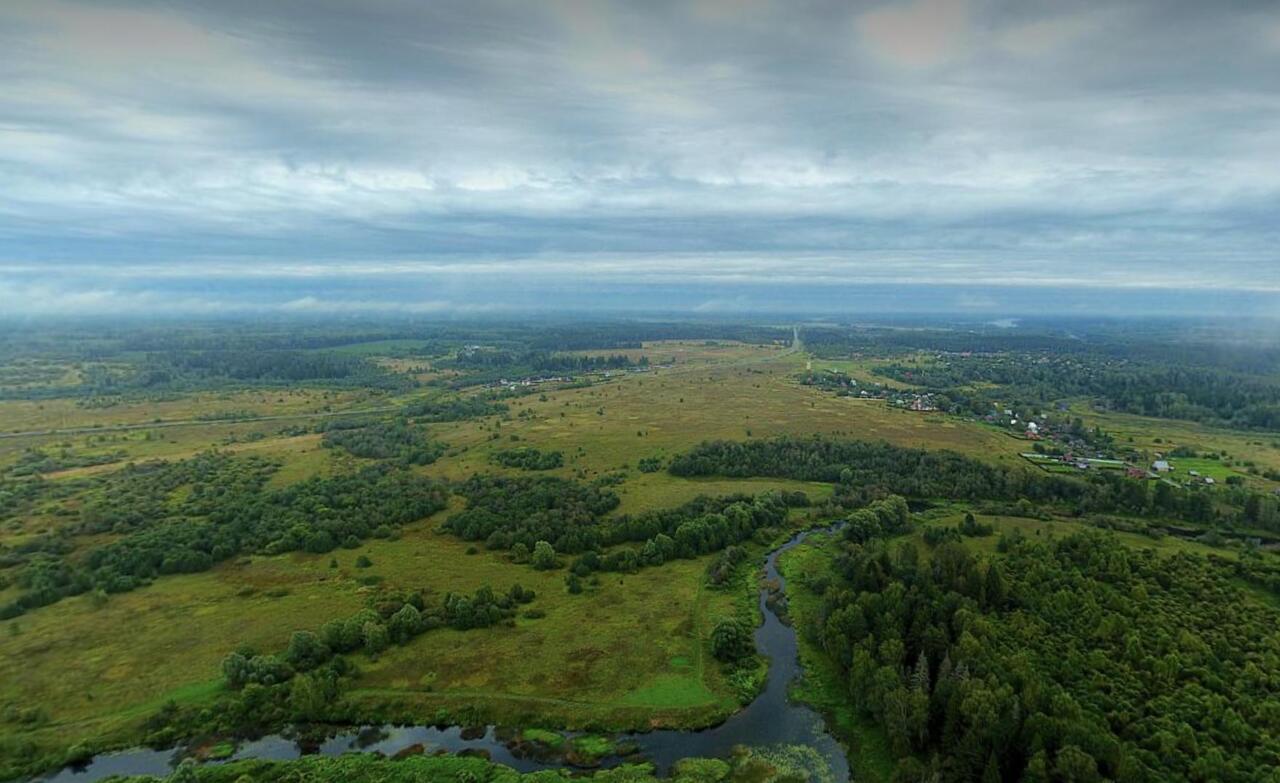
(138, 359)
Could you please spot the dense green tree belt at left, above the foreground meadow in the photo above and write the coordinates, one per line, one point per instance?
(228, 511)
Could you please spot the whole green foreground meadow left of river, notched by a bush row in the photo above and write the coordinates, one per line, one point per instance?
(582, 665)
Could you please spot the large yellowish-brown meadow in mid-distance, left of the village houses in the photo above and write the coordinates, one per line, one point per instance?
(664, 413)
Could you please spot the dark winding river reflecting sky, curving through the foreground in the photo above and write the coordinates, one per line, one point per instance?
(770, 722)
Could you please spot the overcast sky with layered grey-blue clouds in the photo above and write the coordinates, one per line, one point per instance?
(474, 158)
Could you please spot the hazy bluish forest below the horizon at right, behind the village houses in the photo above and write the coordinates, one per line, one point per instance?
(971, 370)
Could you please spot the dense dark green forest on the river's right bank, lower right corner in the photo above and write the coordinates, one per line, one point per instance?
(1077, 660)
